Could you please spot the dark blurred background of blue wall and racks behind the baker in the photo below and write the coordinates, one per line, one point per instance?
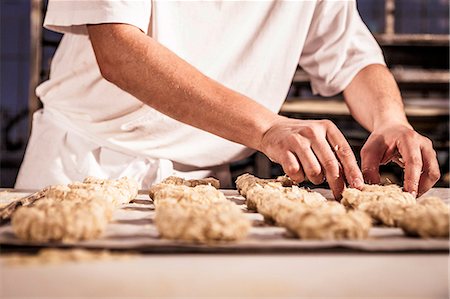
(414, 35)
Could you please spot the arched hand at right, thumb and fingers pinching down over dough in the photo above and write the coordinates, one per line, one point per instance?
(401, 144)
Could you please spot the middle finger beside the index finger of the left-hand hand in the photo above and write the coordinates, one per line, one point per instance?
(330, 166)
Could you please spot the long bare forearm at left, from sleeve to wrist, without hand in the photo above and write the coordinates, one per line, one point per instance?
(156, 76)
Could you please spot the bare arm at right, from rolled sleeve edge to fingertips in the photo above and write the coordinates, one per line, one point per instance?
(375, 101)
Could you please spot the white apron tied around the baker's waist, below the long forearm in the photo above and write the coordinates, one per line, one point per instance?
(71, 156)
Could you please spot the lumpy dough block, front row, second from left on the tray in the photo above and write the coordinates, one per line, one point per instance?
(199, 222)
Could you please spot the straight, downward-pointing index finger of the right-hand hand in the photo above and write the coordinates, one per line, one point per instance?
(412, 156)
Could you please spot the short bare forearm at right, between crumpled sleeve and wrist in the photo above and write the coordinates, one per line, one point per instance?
(374, 98)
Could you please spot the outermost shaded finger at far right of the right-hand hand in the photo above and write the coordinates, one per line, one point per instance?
(430, 170)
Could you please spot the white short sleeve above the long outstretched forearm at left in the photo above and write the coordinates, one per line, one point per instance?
(72, 16)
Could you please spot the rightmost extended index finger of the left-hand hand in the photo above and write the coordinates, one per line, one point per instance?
(346, 157)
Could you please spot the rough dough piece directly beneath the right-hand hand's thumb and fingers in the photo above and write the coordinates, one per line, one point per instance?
(352, 198)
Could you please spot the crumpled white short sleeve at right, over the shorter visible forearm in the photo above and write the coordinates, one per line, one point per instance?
(337, 47)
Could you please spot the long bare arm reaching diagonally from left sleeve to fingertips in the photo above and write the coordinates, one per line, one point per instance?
(141, 66)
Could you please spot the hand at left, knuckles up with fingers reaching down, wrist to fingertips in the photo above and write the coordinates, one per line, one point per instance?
(314, 149)
